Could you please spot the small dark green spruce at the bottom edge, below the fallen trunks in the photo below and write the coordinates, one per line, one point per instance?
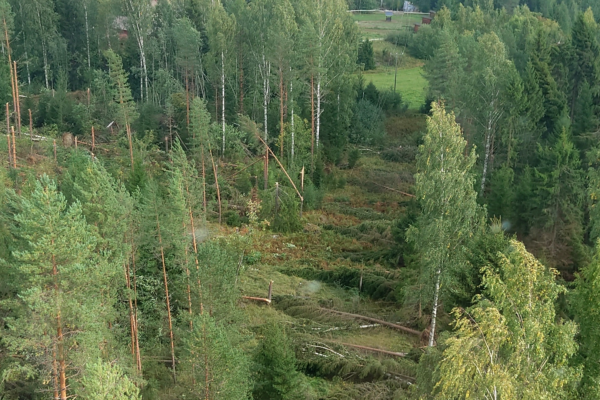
(275, 375)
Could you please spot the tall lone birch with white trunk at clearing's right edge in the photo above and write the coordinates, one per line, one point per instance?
(450, 214)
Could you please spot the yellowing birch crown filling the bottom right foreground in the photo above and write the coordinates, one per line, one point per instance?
(509, 344)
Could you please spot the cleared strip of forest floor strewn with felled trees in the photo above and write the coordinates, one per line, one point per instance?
(343, 246)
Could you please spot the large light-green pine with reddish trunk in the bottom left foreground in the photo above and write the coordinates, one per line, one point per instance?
(57, 325)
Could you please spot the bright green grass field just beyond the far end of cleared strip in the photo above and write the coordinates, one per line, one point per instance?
(410, 83)
